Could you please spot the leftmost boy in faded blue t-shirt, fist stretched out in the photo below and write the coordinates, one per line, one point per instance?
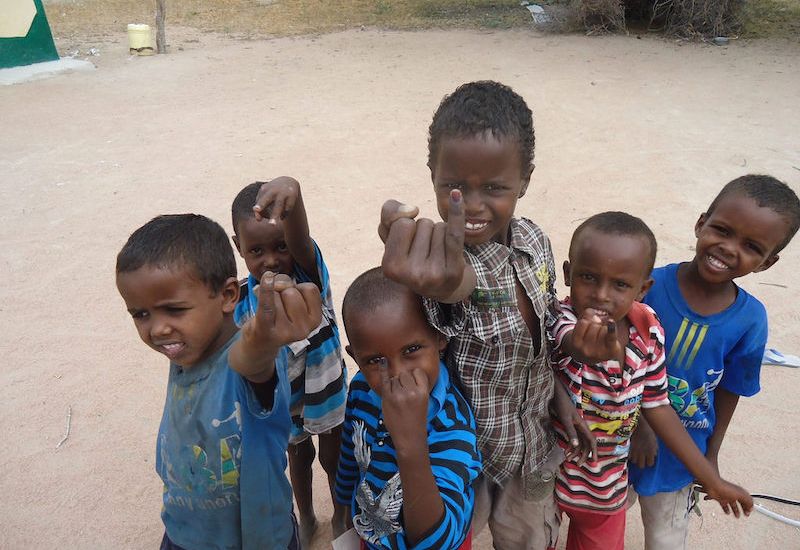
(222, 442)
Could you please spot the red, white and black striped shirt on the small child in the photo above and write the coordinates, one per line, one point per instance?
(609, 397)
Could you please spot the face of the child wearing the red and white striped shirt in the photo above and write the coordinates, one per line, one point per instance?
(607, 272)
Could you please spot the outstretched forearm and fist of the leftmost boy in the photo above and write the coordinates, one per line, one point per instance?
(287, 312)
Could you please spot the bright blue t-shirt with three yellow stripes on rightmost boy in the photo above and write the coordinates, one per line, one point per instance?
(703, 352)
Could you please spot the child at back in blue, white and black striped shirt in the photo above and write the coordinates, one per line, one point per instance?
(271, 234)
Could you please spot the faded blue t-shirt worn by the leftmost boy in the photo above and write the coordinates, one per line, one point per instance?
(222, 456)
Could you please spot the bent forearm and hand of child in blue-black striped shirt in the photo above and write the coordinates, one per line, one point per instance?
(404, 400)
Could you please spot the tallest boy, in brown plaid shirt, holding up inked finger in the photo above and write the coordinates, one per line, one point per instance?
(488, 278)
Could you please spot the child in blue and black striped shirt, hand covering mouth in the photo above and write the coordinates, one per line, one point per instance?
(409, 452)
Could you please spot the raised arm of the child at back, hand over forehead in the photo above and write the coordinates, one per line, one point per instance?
(280, 199)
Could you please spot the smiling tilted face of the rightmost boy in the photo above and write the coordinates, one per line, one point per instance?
(738, 238)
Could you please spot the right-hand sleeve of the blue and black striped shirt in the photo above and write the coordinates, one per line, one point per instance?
(455, 464)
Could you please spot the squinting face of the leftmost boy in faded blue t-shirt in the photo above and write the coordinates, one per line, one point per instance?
(176, 314)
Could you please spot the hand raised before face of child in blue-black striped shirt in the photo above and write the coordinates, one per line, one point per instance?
(404, 400)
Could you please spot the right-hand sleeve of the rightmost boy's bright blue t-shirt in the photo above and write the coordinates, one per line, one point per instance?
(742, 372)
